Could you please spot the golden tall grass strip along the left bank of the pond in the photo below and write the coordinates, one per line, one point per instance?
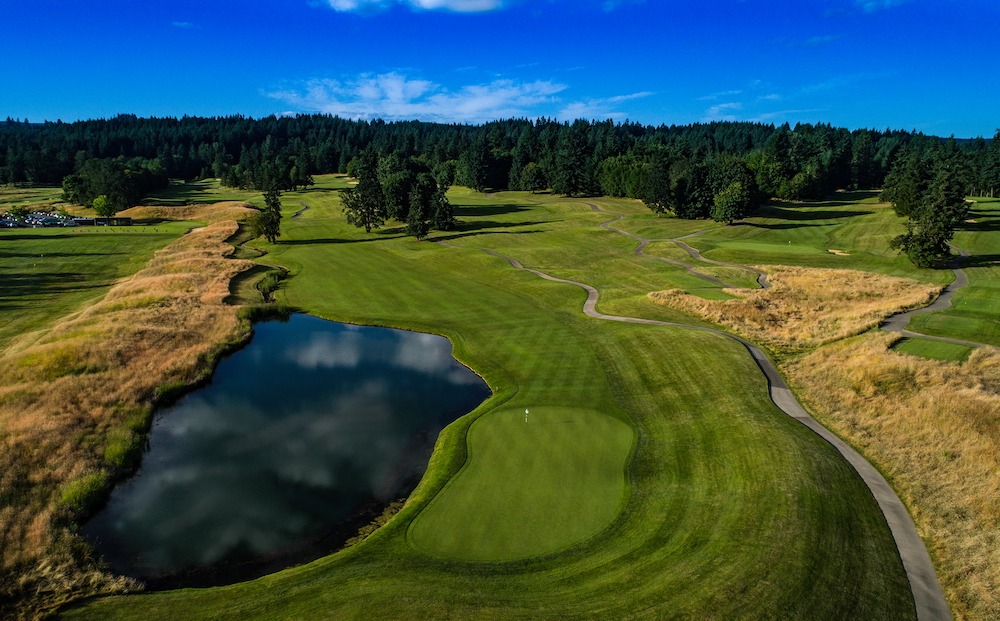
(75, 400)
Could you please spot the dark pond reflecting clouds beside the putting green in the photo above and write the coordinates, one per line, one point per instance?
(301, 437)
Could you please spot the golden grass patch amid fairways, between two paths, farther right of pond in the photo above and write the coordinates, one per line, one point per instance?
(806, 307)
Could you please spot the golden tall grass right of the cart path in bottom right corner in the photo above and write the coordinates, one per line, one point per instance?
(934, 429)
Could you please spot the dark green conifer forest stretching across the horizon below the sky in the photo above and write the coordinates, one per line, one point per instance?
(722, 170)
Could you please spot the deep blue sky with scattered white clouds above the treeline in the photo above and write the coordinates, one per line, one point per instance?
(928, 65)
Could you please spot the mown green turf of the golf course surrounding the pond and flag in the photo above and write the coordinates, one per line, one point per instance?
(622, 469)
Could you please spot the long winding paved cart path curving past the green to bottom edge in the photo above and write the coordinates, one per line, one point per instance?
(927, 593)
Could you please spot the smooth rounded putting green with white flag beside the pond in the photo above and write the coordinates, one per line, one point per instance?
(529, 488)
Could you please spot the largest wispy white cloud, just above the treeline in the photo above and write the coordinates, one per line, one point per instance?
(393, 96)
